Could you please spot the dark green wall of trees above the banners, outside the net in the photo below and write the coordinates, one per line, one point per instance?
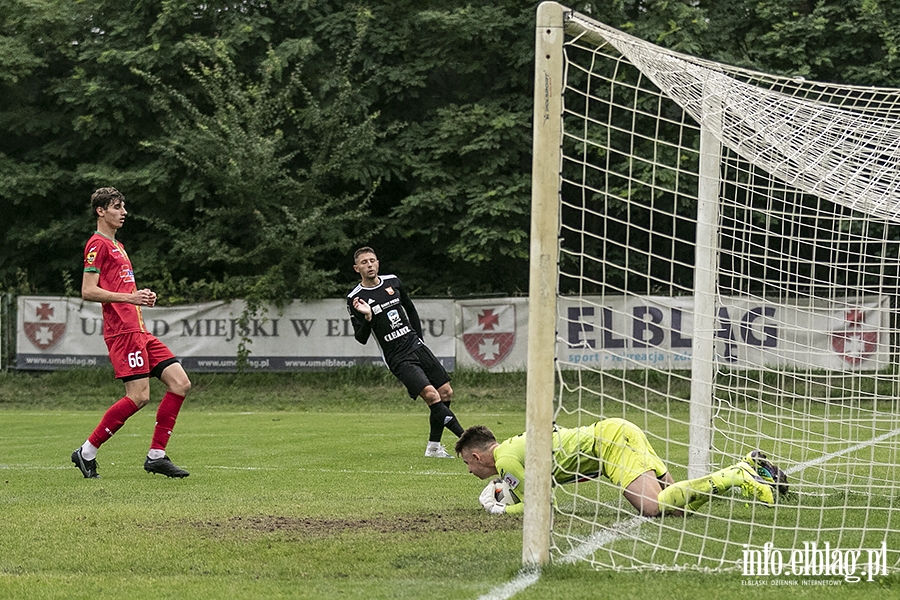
(258, 143)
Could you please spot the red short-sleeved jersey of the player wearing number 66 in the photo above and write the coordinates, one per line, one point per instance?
(108, 258)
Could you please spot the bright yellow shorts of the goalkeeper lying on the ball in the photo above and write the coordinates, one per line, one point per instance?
(626, 451)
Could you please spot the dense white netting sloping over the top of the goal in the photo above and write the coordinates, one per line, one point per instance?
(839, 143)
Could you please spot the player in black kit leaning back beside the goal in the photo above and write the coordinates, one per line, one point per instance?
(381, 305)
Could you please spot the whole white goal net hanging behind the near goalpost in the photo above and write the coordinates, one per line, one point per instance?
(728, 269)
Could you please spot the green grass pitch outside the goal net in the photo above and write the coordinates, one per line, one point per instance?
(301, 486)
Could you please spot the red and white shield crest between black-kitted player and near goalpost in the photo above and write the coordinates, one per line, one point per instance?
(489, 332)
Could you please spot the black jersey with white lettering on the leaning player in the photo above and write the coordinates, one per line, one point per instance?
(395, 322)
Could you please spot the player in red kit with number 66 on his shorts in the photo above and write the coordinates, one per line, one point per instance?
(135, 354)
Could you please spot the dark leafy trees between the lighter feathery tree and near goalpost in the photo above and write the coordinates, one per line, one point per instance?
(455, 79)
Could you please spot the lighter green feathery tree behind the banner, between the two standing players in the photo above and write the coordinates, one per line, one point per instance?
(274, 172)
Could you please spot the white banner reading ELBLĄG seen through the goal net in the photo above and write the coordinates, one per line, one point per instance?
(656, 332)
